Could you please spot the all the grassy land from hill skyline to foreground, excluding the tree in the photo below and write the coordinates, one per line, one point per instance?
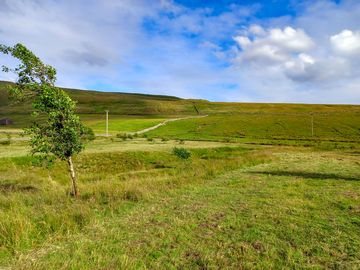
(259, 191)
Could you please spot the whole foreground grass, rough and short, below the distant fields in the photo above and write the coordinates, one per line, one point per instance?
(227, 207)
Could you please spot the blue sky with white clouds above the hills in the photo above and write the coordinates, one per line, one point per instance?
(221, 50)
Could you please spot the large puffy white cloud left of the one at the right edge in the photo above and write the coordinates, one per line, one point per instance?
(284, 48)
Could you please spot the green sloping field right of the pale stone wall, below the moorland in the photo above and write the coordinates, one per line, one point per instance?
(334, 126)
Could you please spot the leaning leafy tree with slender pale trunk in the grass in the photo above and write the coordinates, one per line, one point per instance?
(56, 131)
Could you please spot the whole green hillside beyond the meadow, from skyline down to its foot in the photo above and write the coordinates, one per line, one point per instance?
(226, 120)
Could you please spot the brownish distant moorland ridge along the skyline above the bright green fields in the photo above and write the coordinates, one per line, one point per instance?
(95, 102)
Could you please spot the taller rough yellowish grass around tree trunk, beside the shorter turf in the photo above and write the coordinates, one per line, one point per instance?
(36, 206)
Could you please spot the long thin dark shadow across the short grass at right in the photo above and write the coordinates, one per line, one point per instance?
(322, 176)
